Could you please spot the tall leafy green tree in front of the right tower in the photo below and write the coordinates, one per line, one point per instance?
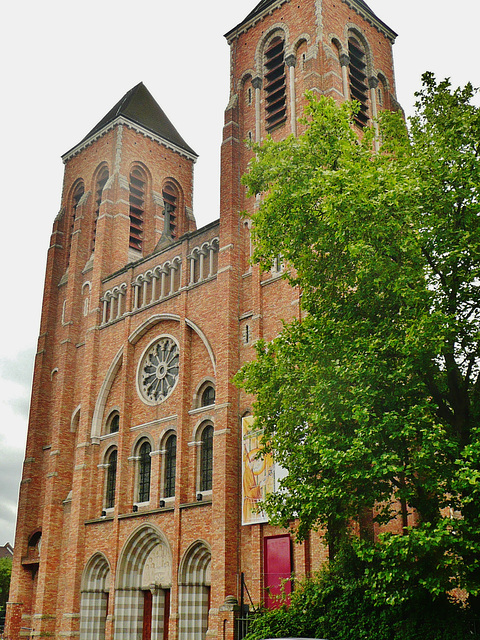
(372, 401)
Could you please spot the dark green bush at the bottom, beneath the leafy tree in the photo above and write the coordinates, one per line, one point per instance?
(338, 604)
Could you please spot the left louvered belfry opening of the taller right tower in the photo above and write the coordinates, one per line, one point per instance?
(275, 84)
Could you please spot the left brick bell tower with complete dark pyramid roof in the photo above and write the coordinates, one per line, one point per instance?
(127, 194)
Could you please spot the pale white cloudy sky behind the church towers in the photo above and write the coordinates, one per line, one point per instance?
(66, 63)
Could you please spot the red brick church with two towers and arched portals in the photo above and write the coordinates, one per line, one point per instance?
(137, 514)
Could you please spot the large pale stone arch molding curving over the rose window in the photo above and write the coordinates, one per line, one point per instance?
(99, 411)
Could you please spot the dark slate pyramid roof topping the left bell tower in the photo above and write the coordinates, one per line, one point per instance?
(139, 106)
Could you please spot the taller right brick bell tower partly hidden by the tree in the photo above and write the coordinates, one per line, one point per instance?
(280, 51)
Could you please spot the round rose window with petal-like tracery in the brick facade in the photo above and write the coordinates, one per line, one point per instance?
(158, 371)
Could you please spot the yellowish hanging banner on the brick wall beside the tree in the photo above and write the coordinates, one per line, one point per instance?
(258, 474)
